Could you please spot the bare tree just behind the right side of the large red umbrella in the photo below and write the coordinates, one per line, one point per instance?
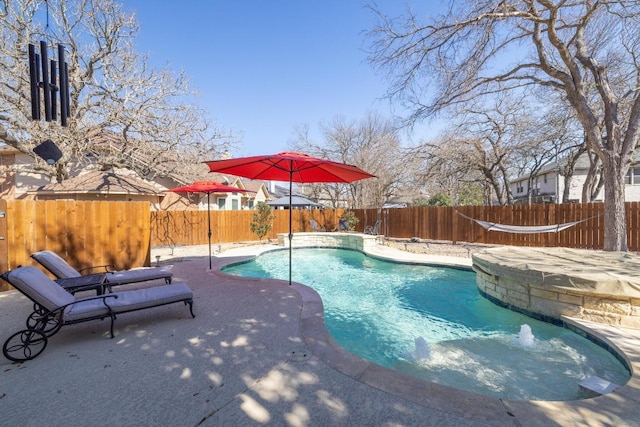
(371, 144)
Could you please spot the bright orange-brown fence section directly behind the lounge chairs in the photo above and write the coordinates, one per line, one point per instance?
(84, 233)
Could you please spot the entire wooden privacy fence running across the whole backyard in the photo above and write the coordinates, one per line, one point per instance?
(122, 233)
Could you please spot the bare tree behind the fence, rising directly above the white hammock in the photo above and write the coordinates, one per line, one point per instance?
(492, 143)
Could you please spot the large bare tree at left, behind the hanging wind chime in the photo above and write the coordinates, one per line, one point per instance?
(112, 87)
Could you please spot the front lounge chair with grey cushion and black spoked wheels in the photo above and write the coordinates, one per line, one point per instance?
(54, 308)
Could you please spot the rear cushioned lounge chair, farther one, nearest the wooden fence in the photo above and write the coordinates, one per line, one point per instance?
(62, 270)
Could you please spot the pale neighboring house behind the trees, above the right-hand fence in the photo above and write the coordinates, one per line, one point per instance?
(548, 184)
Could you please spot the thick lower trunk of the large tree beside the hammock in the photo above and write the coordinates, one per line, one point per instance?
(615, 230)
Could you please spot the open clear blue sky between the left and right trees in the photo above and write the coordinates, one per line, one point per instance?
(264, 67)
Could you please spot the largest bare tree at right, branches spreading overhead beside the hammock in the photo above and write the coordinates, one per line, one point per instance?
(586, 50)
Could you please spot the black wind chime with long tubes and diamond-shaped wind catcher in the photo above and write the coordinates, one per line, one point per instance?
(49, 81)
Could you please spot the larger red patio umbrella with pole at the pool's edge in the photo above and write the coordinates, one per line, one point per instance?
(292, 167)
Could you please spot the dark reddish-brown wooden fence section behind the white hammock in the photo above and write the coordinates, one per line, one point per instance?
(444, 223)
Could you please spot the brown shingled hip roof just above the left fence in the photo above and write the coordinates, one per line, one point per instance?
(114, 181)
